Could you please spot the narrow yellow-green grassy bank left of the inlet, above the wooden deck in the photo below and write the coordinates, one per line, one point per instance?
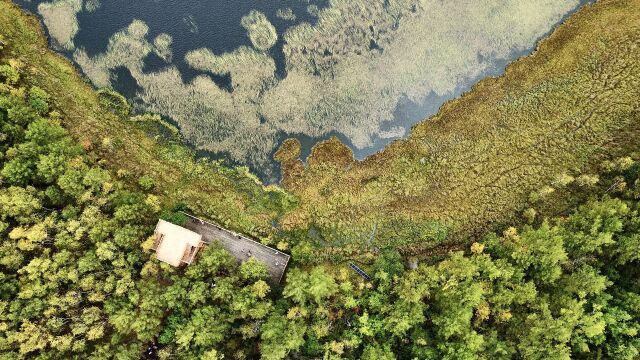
(230, 196)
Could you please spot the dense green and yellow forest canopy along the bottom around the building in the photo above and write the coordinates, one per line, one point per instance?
(77, 278)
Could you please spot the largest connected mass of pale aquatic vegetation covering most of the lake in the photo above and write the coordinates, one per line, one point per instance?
(346, 73)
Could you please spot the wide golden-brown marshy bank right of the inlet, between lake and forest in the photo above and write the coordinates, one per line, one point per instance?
(497, 150)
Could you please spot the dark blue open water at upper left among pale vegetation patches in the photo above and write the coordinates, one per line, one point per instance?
(191, 23)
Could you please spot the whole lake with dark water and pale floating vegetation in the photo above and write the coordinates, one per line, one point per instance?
(238, 77)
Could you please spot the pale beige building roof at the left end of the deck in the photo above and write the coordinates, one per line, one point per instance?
(175, 241)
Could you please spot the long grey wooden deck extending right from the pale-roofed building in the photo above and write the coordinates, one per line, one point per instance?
(241, 246)
